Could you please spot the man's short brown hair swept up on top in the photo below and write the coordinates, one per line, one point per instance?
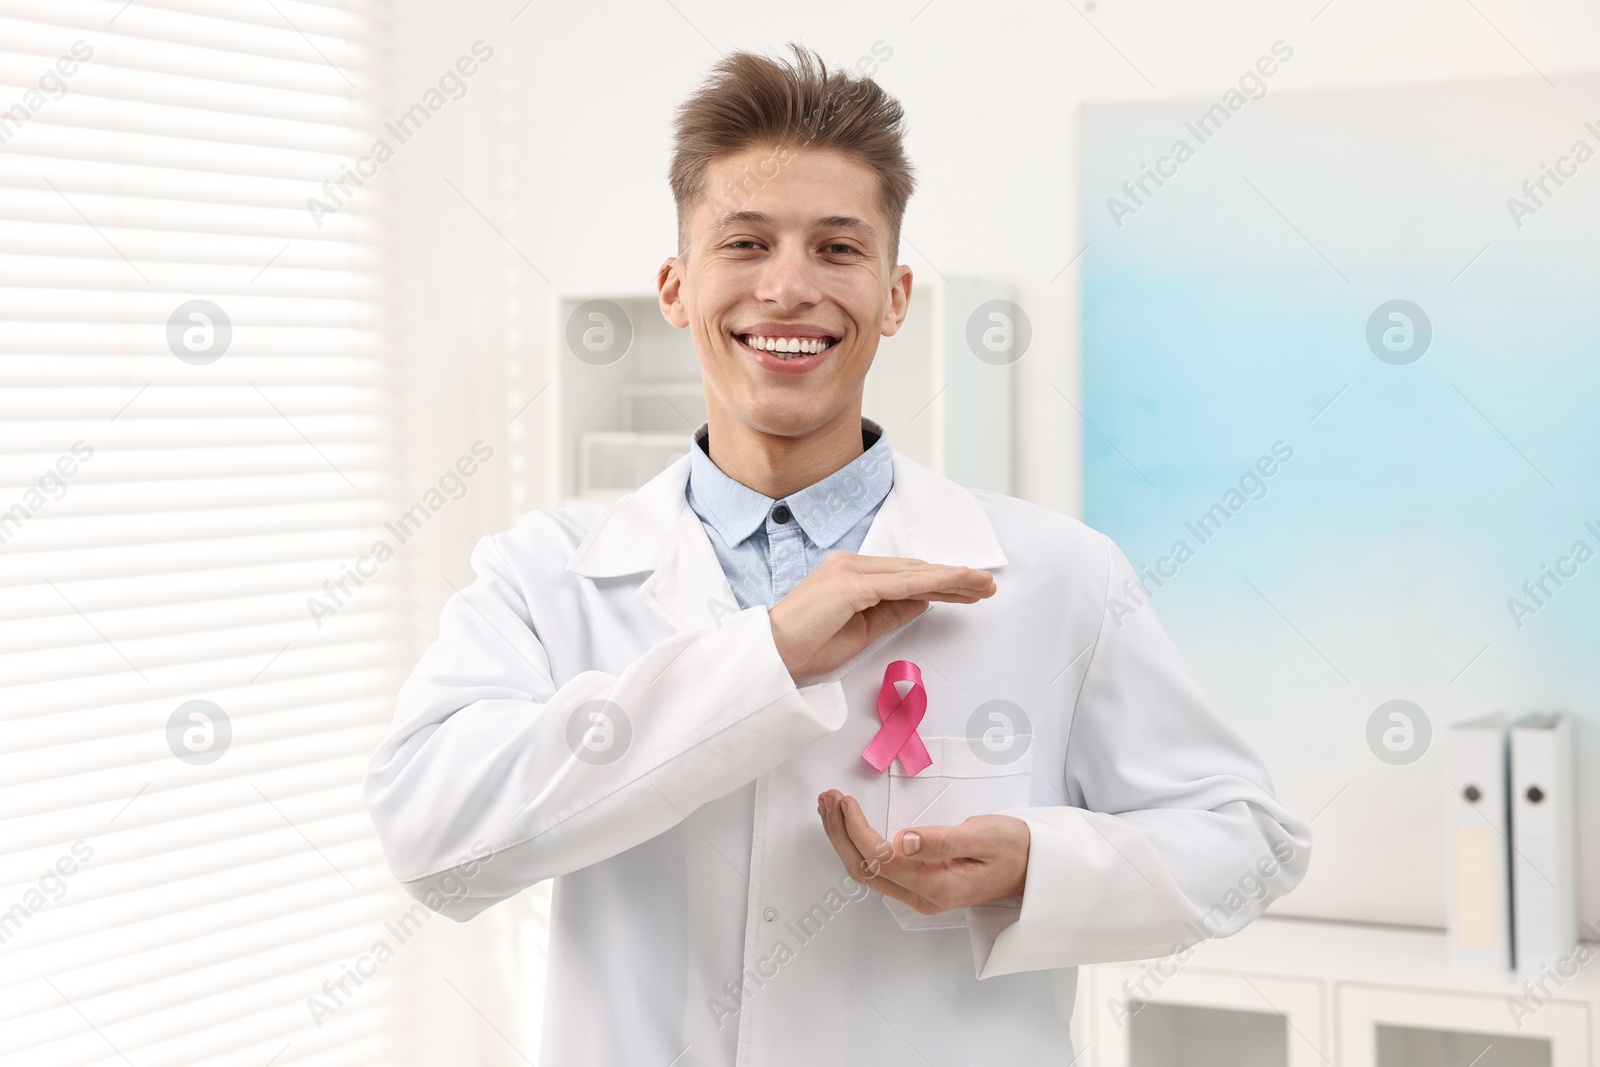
(754, 102)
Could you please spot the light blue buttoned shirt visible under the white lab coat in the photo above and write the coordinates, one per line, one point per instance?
(769, 546)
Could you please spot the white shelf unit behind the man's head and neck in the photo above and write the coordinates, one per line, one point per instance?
(618, 423)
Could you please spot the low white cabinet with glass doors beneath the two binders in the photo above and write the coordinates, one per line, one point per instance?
(1343, 991)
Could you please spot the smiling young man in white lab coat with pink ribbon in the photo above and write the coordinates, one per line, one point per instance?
(831, 759)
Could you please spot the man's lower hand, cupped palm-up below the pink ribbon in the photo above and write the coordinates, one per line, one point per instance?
(934, 868)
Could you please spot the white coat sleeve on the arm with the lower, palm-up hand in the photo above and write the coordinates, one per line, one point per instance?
(1169, 831)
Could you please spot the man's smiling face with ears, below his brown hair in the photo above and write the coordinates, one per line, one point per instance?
(786, 292)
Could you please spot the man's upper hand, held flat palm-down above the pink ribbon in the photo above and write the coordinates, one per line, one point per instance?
(852, 601)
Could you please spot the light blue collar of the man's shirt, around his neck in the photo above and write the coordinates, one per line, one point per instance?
(826, 511)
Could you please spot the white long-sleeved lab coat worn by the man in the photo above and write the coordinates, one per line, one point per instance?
(694, 863)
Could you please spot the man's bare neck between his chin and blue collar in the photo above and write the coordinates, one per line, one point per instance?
(778, 466)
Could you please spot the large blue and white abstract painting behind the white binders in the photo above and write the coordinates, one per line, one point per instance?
(1342, 366)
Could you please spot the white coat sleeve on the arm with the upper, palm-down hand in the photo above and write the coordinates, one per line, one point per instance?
(494, 778)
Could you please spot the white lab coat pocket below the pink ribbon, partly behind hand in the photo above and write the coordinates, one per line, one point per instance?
(961, 783)
